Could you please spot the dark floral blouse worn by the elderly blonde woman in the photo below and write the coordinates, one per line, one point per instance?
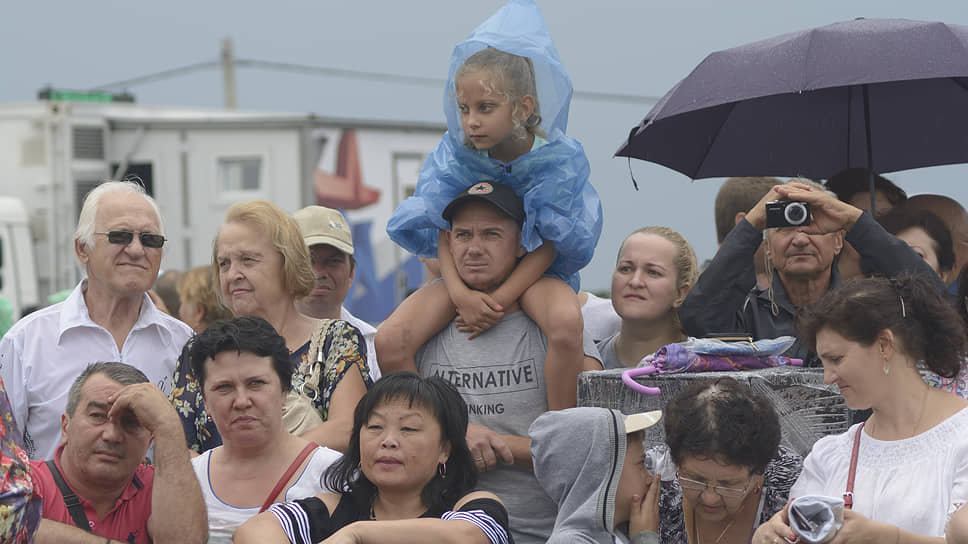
(341, 350)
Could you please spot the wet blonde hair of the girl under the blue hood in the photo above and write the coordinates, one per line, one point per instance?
(512, 76)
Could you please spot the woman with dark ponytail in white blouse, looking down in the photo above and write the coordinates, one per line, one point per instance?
(873, 336)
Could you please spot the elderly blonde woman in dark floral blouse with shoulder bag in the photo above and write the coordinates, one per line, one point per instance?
(262, 267)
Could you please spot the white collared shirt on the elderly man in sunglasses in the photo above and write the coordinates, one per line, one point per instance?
(42, 354)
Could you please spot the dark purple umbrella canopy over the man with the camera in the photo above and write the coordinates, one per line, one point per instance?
(884, 94)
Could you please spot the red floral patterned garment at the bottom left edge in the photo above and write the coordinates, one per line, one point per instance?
(19, 510)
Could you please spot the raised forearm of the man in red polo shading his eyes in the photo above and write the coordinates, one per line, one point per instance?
(177, 508)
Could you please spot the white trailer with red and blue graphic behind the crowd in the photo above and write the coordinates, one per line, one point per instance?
(197, 162)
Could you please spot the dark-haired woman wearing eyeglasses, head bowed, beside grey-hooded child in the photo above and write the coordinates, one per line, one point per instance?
(732, 474)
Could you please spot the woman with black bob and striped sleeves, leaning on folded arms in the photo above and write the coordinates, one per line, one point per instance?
(407, 476)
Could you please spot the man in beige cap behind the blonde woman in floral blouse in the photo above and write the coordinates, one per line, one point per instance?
(330, 245)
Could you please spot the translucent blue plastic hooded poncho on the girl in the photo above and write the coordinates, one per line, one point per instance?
(552, 180)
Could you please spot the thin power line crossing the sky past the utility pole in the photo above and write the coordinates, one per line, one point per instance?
(344, 73)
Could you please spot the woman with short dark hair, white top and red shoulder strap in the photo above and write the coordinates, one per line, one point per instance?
(244, 374)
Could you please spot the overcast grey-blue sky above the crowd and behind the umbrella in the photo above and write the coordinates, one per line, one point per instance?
(632, 47)
